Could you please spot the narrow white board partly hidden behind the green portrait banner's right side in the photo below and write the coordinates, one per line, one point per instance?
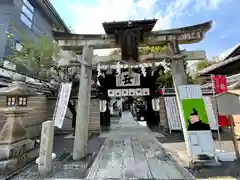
(210, 112)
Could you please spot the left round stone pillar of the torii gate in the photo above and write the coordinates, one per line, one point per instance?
(82, 120)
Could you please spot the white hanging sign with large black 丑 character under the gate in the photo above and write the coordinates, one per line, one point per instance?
(126, 79)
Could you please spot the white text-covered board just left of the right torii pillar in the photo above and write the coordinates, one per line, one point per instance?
(173, 116)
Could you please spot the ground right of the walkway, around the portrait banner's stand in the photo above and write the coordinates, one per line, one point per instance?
(227, 170)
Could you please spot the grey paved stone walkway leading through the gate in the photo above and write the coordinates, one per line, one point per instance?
(131, 151)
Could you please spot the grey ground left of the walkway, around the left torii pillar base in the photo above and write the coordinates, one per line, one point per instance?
(63, 165)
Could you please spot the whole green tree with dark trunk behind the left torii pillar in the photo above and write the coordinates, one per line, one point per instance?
(38, 58)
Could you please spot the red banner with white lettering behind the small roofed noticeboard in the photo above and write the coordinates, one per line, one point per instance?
(220, 85)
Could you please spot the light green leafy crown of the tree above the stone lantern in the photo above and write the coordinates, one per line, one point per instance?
(36, 57)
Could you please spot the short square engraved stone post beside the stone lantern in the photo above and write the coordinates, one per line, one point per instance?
(46, 147)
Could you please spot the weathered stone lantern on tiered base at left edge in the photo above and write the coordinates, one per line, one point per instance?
(16, 150)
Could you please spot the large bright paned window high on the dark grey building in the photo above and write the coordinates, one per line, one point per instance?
(27, 13)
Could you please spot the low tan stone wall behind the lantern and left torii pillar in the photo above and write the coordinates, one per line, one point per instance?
(42, 109)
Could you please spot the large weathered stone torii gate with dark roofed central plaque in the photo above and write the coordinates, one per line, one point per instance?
(144, 36)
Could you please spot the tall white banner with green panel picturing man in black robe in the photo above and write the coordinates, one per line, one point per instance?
(195, 122)
